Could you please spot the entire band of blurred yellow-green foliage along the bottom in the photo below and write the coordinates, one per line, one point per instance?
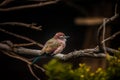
(57, 70)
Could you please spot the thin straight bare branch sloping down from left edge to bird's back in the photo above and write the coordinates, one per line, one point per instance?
(21, 37)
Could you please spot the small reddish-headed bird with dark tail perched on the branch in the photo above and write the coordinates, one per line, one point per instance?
(53, 46)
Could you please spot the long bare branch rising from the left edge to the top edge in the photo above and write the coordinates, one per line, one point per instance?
(29, 6)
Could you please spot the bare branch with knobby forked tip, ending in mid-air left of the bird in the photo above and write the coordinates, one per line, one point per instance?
(32, 26)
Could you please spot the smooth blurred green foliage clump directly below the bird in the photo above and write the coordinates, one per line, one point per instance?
(59, 71)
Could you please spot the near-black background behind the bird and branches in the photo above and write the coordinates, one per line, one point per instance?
(54, 18)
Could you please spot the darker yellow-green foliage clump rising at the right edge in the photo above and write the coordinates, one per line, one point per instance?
(113, 70)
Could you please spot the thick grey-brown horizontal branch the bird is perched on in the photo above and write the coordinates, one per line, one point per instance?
(86, 52)
